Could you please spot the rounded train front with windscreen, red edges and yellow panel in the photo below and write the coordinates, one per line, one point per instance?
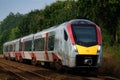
(86, 42)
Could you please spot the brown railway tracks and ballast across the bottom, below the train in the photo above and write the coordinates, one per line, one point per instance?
(29, 72)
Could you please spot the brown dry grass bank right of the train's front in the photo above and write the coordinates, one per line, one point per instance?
(111, 66)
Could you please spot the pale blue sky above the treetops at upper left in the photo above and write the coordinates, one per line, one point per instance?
(21, 6)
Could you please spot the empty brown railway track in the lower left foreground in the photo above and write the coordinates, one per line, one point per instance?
(24, 74)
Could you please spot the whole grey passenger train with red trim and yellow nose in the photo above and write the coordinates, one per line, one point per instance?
(75, 44)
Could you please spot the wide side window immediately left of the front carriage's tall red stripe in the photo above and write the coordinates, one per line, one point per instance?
(39, 44)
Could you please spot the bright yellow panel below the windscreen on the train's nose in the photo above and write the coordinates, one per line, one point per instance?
(92, 50)
